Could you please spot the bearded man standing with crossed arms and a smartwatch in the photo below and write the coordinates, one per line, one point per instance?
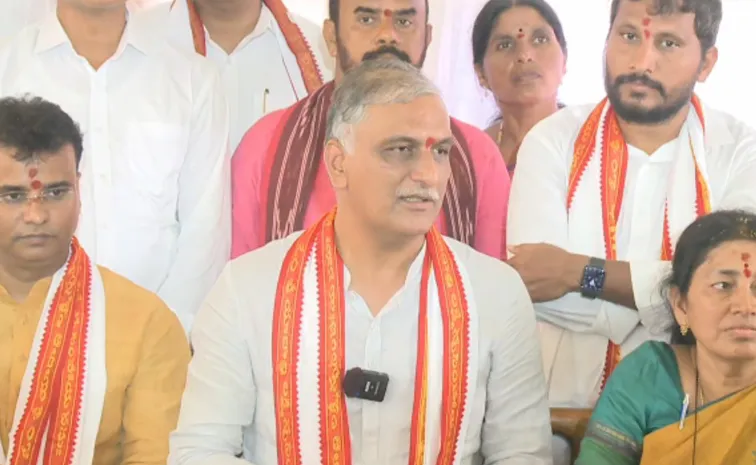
(681, 157)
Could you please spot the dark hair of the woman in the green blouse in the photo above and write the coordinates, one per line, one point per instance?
(696, 242)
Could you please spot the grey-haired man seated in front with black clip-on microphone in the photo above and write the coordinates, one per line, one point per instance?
(370, 286)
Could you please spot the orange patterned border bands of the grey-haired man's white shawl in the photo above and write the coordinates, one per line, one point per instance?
(334, 420)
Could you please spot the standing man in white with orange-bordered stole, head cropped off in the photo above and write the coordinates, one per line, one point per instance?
(265, 65)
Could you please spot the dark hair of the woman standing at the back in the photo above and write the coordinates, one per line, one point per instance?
(489, 16)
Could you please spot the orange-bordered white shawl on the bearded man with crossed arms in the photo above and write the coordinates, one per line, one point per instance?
(599, 170)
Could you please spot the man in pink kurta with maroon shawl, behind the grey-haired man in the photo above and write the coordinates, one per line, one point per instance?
(280, 184)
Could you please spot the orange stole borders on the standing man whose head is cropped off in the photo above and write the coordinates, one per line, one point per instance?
(295, 39)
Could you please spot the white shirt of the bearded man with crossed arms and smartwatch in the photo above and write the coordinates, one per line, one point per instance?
(575, 330)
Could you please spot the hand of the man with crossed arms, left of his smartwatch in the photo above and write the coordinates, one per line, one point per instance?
(548, 271)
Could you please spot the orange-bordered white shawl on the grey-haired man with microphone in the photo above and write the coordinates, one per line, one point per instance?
(312, 422)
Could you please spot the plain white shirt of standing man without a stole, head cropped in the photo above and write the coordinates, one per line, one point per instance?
(155, 180)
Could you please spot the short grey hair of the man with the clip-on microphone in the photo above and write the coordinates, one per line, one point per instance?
(382, 81)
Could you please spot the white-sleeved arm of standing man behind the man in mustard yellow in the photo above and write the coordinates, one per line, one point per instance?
(204, 204)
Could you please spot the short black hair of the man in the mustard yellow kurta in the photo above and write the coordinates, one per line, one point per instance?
(35, 128)
